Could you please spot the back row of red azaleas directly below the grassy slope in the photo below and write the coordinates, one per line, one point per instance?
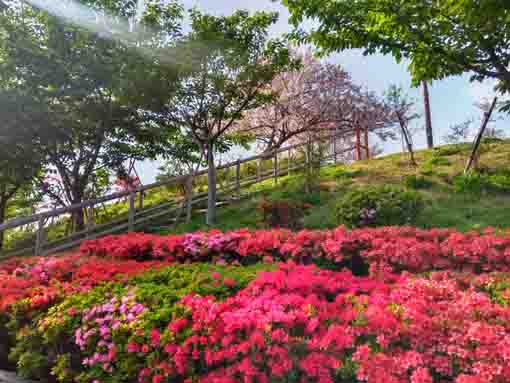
(401, 248)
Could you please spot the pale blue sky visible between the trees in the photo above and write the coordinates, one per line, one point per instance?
(452, 100)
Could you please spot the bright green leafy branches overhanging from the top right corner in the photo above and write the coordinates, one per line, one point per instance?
(439, 38)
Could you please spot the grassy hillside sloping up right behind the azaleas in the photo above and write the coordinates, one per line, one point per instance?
(451, 200)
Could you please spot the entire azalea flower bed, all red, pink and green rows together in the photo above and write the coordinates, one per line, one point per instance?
(432, 307)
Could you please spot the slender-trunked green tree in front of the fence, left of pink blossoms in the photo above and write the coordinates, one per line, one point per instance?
(229, 75)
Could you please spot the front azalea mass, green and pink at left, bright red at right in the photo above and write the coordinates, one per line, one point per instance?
(295, 324)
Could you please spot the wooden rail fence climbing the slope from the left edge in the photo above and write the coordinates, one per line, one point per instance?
(139, 215)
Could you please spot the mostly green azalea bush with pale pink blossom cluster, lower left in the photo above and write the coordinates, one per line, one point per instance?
(93, 335)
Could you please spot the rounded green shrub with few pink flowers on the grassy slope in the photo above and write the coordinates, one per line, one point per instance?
(379, 206)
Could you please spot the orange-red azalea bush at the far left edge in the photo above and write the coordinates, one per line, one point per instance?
(29, 286)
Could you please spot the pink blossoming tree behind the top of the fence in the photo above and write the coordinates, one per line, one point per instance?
(314, 99)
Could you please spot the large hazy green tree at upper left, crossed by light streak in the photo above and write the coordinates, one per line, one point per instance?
(95, 85)
